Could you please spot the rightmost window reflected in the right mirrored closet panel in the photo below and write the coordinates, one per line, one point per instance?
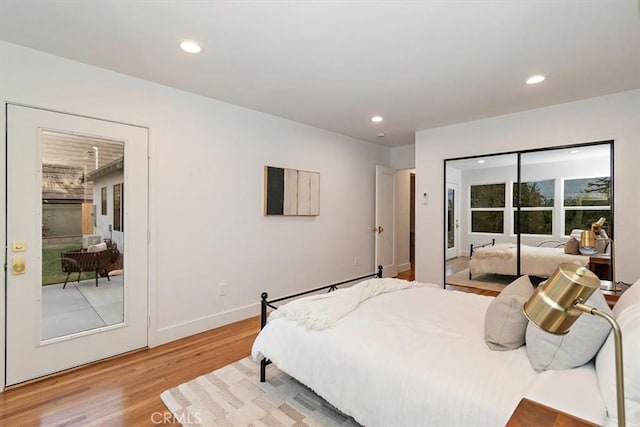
(585, 201)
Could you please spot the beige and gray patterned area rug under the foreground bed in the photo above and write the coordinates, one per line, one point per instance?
(234, 396)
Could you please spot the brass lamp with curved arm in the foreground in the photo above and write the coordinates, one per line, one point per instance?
(557, 304)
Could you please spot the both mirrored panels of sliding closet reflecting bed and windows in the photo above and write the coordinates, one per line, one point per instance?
(560, 211)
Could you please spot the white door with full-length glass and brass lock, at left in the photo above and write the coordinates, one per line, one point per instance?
(66, 182)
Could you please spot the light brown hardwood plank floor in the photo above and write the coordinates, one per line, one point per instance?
(125, 390)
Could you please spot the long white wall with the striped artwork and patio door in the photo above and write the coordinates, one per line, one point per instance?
(206, 179)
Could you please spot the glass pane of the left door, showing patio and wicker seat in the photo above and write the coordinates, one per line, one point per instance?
(82, 233)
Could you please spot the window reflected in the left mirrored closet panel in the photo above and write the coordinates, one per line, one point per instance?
(487, 208)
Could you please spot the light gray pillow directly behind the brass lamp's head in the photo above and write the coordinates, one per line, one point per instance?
(578, 346)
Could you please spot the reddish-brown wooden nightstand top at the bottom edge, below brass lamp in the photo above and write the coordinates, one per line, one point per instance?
(530, 413)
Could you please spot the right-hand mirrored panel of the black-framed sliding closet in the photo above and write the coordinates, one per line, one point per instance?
(564, 192)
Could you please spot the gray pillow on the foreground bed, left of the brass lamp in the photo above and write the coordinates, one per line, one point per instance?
(504, 323)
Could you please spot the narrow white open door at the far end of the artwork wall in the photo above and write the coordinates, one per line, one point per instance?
(385, 220)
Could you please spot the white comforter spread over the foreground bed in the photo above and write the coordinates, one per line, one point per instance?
(417, 357)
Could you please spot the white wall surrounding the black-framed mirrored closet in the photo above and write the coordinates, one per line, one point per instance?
(614, 117)
